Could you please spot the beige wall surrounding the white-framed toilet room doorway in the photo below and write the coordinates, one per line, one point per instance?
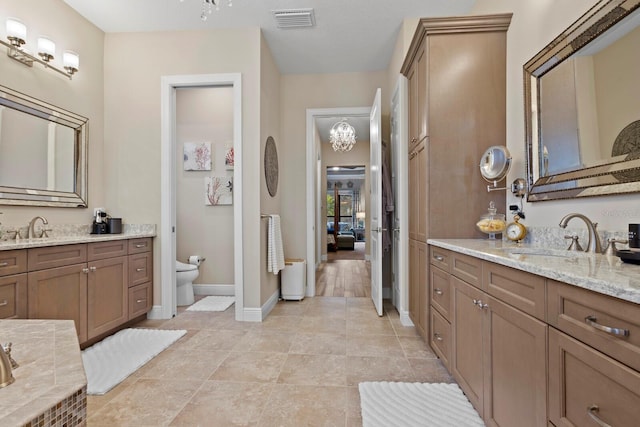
(132, 118)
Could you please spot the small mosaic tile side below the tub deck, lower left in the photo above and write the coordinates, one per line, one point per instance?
(70, 412)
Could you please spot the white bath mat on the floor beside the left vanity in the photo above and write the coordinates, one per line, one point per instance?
(113, 359)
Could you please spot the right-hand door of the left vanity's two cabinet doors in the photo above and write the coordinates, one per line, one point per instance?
(107, 294)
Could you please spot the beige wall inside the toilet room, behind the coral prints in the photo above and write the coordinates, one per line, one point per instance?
(204, 115)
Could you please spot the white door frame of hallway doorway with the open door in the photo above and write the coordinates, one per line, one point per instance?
(314, 153)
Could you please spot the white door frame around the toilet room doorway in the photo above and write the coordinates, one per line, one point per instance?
(166, 234)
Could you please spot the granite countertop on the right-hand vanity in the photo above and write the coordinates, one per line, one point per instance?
(600, 273)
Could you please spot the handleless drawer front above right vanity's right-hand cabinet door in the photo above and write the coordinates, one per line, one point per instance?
(520, 289)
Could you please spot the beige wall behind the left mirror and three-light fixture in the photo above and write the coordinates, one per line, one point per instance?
(83, 95)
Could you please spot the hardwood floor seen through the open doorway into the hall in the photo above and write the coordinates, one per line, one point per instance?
(344, 278)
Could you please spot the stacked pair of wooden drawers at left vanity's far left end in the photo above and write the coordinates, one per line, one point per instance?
(13, 284)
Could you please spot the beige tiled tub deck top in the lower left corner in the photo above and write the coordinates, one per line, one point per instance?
(50, 368)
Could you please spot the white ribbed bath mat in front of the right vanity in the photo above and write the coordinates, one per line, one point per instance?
(386, 404)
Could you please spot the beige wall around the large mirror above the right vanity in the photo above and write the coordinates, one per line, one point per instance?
(534, 25)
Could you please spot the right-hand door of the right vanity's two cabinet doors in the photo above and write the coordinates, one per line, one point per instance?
(515, 354)
